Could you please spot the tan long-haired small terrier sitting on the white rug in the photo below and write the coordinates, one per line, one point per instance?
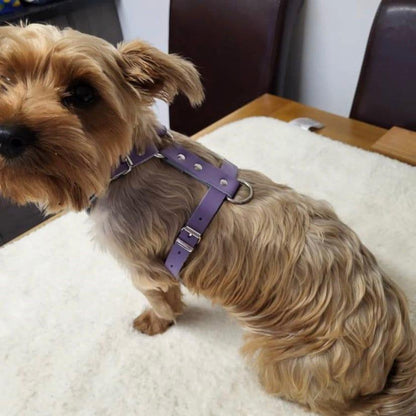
(325, 327)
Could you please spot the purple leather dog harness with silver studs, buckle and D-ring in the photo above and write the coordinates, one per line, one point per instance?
(222, 184)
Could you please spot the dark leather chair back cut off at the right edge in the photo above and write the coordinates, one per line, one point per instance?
(386, 91)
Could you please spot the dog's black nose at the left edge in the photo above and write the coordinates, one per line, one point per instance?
(14, 140)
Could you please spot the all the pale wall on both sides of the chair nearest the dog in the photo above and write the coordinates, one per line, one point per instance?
(326, 55)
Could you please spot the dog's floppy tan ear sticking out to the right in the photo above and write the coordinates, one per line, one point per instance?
(158, 74)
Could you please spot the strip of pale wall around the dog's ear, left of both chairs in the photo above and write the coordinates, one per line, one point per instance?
(147, 20)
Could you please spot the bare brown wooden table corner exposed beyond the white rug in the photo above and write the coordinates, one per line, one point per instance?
(346, 130)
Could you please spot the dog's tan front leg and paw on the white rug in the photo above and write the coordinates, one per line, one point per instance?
(165, 304)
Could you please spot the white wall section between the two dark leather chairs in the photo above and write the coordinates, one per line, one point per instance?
(327, 53)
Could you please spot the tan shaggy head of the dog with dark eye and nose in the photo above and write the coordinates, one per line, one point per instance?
(71, 104)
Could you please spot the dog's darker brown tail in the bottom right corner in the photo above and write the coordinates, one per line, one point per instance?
(399, 395)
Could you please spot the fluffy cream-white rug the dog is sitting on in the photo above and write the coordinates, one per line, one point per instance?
(66, 342)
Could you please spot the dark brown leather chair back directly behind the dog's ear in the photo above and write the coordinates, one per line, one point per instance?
(239, 46)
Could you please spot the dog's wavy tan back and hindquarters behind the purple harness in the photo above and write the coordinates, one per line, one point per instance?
(325, 327)
